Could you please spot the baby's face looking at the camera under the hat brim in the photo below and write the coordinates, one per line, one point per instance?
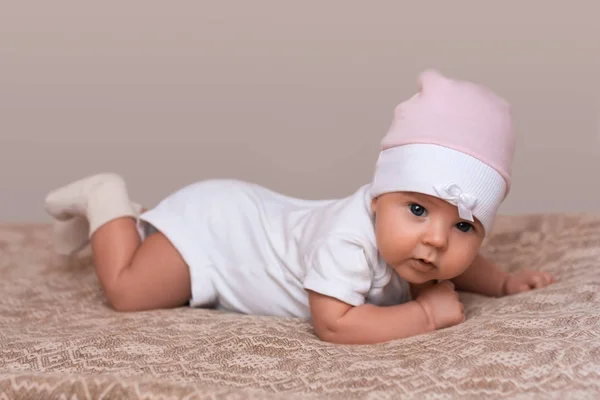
(423, 238)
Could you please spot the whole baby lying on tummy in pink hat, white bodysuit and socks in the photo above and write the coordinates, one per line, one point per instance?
(382, 263)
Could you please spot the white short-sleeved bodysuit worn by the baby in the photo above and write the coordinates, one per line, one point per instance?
(254, 251)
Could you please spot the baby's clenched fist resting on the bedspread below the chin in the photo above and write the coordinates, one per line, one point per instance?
(441, 305)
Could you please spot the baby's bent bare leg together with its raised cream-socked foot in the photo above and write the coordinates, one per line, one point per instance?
(133, 275)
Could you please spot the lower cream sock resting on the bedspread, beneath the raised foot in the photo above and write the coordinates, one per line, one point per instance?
(72, 235)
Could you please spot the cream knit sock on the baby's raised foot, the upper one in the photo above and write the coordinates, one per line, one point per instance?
(100, 198)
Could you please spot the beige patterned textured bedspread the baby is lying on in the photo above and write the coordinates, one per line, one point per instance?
(59, 339)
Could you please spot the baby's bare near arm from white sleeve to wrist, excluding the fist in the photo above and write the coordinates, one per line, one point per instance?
(338, 322)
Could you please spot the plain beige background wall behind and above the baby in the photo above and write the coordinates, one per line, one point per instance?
(293, 95)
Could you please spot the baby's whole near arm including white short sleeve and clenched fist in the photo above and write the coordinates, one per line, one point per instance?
(338, 279)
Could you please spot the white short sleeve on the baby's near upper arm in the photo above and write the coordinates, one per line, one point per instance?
(338, 268)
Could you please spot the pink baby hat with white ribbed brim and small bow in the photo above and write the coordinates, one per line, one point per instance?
(453, 140)
